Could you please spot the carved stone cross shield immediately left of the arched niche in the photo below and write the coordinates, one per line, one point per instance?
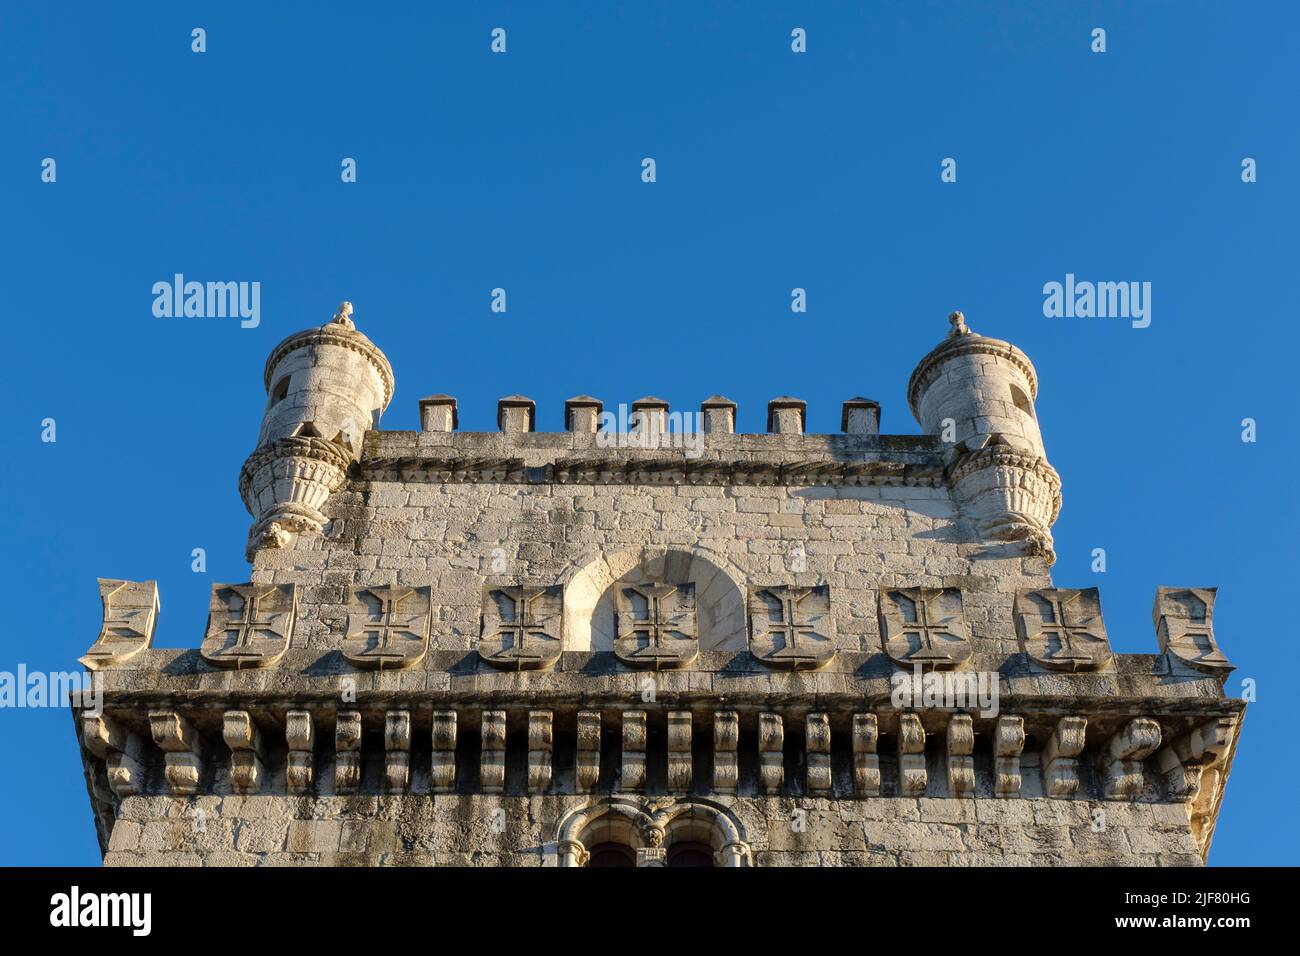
(523, 628)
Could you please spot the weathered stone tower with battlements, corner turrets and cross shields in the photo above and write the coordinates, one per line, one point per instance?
(627, 644)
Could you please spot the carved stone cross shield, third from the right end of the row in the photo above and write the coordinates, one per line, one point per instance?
(925, 626)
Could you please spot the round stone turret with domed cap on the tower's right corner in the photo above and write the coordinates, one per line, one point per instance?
(977, 395)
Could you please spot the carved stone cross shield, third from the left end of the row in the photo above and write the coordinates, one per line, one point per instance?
(388, 628)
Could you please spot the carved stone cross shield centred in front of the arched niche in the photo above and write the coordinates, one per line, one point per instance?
(656, 625)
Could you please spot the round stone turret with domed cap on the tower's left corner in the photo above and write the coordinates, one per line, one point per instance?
(326, 387)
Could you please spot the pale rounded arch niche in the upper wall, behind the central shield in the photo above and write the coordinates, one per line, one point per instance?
(590, 603)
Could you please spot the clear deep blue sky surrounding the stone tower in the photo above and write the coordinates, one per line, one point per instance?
(525, 171)
